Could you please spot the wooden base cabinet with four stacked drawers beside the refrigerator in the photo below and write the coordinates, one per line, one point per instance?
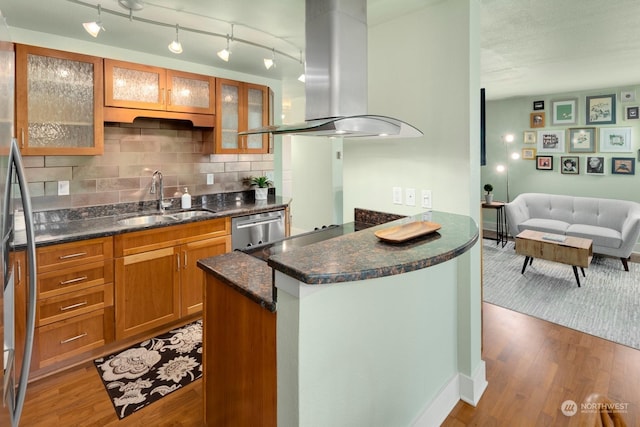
(75, 304)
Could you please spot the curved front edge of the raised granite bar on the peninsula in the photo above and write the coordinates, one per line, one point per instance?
(322, 279)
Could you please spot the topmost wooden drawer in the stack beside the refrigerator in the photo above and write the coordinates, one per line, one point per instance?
(75, 253)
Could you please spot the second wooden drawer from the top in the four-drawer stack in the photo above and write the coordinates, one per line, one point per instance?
(72, 279)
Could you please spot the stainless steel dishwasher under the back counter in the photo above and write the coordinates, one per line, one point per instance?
(257, 229)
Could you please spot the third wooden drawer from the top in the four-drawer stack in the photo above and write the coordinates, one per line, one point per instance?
(68, 305)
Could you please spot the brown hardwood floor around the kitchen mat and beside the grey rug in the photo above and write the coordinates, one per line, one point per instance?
(532, 367)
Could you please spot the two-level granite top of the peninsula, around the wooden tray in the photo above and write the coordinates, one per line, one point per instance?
(356, 256)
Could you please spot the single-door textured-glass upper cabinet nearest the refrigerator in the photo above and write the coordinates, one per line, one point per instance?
(58, 102)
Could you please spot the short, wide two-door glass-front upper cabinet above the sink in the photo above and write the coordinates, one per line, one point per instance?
(143, 87)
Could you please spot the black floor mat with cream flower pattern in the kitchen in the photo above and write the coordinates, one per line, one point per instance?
(148, 371)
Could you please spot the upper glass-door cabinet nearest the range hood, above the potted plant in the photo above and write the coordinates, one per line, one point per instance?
(241, 106)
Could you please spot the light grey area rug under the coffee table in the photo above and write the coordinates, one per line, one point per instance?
(607, 304)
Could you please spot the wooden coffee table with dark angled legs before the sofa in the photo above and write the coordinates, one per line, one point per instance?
(575, 251)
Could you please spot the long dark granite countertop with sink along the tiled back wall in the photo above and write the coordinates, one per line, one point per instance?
(56, 227)
